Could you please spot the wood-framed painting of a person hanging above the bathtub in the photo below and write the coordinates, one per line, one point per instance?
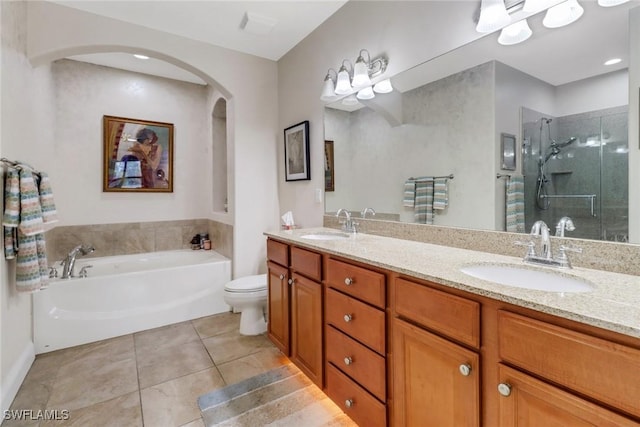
(138, 155)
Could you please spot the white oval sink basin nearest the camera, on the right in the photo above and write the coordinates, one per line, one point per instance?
(527, 278)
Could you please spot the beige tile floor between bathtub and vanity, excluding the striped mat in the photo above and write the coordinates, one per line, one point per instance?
(151, 378)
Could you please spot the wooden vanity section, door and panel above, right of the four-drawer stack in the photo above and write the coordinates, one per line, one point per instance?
(436, 372)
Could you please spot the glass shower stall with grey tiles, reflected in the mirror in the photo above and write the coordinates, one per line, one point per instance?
(577, 166)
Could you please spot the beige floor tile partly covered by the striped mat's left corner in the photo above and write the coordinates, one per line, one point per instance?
(174, 403)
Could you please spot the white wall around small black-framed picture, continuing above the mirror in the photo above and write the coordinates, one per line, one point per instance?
(408, 33)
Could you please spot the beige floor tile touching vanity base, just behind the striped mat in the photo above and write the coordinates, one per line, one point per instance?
(254, 364)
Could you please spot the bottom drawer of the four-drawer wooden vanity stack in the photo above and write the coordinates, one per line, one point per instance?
(359, 405)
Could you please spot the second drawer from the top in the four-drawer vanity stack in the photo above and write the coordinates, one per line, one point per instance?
(362, 322)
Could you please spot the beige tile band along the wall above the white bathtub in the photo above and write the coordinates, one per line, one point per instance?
(137, 237)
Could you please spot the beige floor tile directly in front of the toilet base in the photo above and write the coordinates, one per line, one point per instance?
(230, 346)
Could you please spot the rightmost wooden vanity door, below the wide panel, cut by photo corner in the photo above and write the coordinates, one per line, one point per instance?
(528, 402)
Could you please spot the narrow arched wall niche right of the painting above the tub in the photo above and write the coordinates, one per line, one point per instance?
(219, 156)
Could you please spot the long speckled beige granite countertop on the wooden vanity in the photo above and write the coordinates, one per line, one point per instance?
(614, 304)
